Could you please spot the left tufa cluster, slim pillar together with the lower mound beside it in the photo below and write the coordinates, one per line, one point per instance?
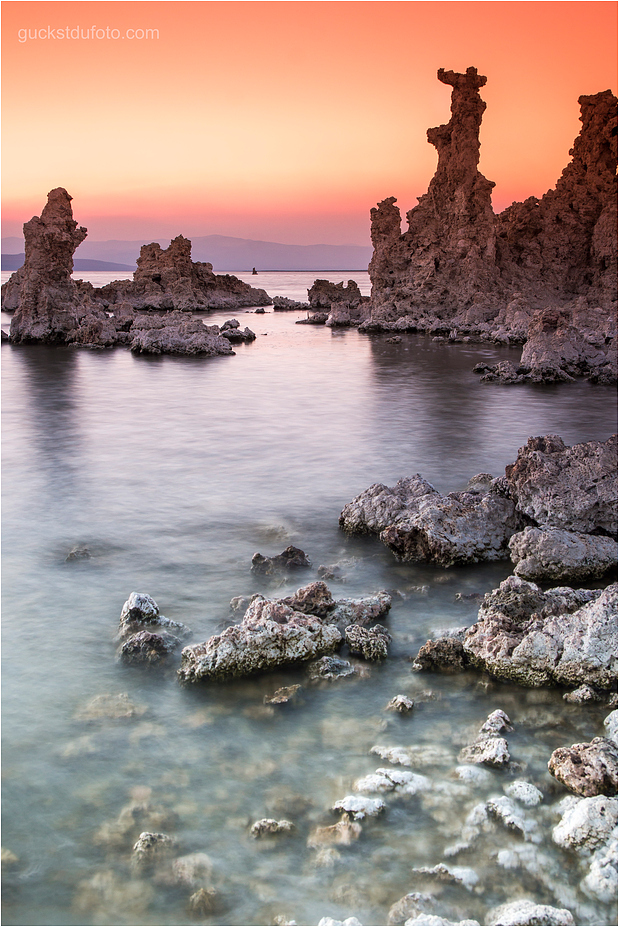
(52, 308)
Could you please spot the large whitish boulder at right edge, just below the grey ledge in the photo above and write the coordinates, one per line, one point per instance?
(535, 638)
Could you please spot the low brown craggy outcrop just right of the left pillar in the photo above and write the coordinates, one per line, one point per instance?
(169, 279)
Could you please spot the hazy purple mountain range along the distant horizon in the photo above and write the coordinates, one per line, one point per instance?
(223, 252)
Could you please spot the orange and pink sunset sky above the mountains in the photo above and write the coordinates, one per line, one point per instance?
(282, 121)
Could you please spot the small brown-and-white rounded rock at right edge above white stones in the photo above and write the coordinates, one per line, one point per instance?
(587, 769)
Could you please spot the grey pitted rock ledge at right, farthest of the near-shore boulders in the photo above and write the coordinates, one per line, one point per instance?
(554, 512)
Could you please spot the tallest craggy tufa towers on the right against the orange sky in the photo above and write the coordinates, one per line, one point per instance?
(542, 270)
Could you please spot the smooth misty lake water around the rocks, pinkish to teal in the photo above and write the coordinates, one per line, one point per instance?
(173, 472)
